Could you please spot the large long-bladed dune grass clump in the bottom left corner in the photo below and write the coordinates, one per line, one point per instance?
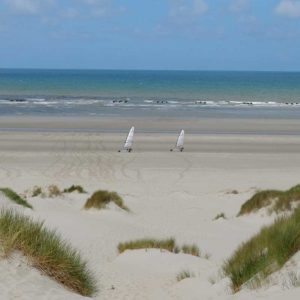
(46, 251)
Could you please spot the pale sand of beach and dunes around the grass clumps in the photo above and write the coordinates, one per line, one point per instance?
(169, 195)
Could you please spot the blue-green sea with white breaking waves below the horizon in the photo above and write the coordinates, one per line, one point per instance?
(134, 93)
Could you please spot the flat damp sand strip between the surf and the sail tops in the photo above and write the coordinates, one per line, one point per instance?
(194, 126)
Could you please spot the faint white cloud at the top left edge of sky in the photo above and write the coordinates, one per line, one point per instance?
(31, 7)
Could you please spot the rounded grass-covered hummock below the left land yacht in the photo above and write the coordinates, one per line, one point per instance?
(101, 199)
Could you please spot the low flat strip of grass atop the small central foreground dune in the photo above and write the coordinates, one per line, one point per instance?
(167, 244)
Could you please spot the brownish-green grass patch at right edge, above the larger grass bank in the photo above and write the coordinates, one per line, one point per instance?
(277, 200)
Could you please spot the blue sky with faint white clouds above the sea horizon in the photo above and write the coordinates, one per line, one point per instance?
(151, 34)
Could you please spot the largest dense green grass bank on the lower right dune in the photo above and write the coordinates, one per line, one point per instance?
(266, 252)
